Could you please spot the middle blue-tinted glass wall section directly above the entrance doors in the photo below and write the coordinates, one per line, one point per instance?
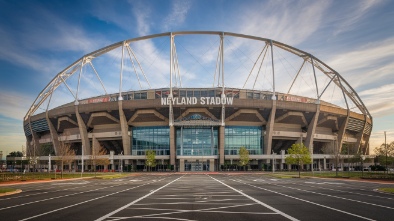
(197, 141)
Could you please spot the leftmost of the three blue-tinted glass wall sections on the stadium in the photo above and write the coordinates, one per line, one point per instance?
(151, 138)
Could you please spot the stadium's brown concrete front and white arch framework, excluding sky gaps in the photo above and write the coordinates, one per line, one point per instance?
(198, 128)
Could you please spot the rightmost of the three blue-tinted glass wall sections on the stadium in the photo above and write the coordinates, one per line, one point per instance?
(243, 136)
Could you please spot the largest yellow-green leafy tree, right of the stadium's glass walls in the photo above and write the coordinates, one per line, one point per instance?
(299, 155)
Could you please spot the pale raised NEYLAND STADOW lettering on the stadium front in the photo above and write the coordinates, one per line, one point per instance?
(195, 100)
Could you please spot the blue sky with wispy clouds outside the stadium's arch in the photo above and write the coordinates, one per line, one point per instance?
(41, 38)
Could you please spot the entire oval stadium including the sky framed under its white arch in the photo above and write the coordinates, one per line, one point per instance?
(196, 98)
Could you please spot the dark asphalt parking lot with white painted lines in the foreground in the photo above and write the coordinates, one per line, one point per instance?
(199, 196)
